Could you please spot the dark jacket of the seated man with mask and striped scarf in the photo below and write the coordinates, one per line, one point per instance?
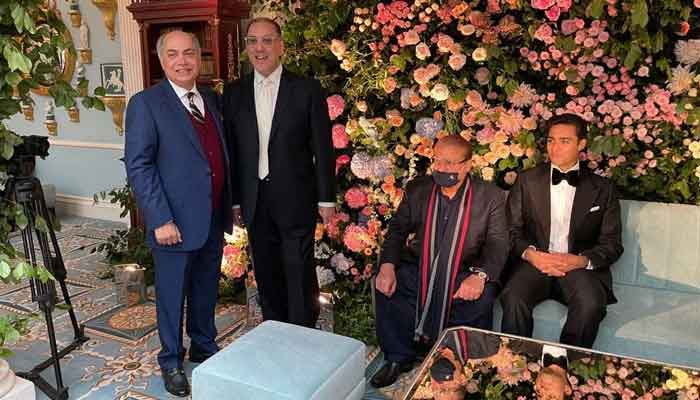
(486, 246)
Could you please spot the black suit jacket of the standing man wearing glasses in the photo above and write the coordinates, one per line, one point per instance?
(300, 149)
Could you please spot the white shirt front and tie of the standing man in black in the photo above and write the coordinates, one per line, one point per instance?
(265, 89)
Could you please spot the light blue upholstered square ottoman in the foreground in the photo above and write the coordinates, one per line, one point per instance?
(278, 361)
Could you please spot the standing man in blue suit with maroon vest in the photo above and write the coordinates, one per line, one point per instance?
(178, 168)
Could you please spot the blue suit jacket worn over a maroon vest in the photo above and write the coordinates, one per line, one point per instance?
(167, 168)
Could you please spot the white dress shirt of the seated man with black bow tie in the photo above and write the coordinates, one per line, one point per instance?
(561, 199)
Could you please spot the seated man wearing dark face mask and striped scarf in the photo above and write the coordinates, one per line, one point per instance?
(447, 274)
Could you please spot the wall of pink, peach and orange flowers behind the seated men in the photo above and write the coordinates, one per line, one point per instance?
(400, 74)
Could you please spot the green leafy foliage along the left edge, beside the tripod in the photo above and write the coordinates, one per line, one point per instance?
(30, 42)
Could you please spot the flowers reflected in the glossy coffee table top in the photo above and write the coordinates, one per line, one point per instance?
(508, 375)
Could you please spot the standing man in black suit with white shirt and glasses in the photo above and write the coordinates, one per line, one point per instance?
(280, 133)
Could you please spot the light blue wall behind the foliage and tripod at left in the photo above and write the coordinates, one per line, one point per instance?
(81, 171)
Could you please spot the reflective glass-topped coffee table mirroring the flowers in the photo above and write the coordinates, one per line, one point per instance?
(469, 363)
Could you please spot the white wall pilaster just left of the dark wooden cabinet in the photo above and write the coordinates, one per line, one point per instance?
(130, 40)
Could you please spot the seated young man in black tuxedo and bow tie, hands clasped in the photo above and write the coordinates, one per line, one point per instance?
(566, 233)
